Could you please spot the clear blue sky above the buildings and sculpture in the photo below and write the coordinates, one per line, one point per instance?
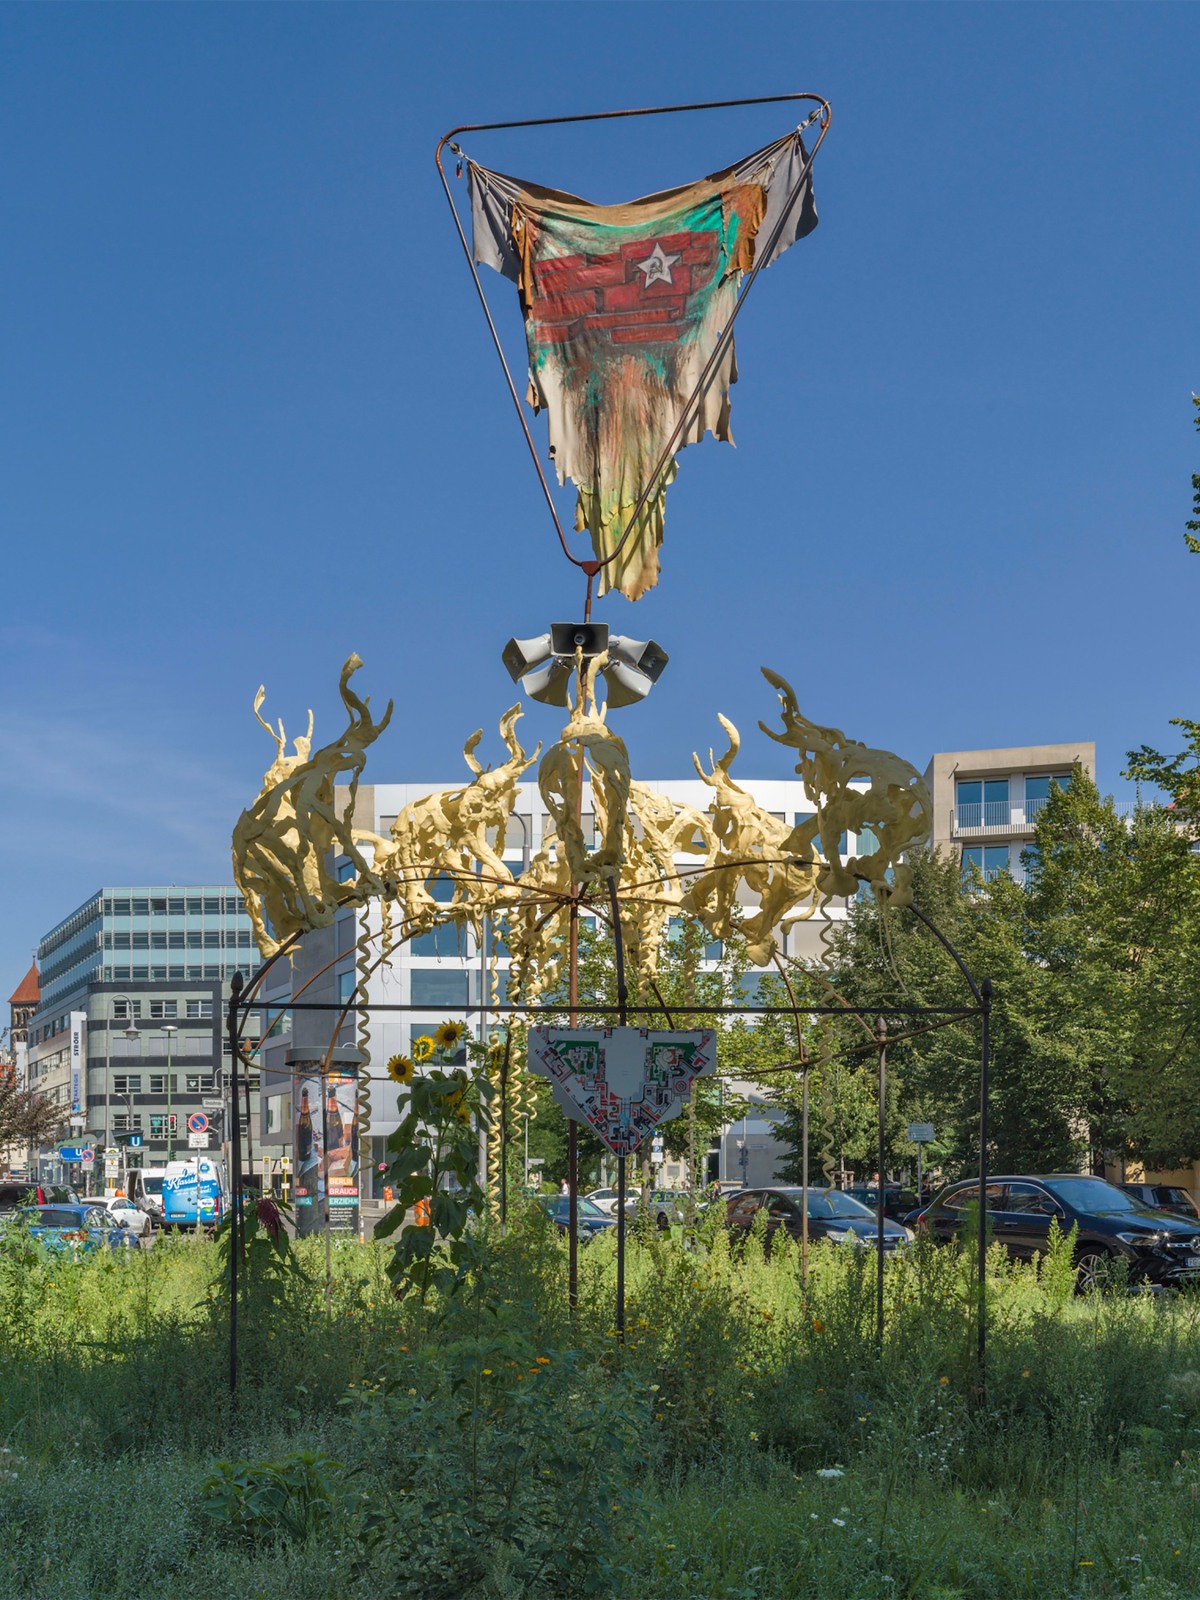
(250, 418)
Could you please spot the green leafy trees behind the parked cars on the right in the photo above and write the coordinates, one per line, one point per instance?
(1095, 1026)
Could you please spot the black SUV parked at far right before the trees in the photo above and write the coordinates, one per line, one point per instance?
(1159, 1247)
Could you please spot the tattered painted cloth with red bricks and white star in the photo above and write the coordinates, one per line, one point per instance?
(623, 308)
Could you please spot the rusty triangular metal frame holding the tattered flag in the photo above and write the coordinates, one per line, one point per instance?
(822, 116)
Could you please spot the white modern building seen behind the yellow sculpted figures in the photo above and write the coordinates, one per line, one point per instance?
(444, 972)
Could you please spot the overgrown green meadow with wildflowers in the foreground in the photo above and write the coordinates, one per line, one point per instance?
(745, 1444)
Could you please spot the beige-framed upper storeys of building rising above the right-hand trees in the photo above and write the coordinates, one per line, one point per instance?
(986, 802)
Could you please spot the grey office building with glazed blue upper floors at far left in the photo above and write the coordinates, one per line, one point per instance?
(129, 1030)
